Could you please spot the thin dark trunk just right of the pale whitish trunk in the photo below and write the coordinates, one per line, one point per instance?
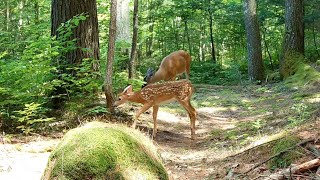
(134, 39)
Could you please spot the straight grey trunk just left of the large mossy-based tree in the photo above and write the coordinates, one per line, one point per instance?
(255, 64)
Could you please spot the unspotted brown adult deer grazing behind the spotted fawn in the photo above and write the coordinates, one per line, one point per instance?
(174, 64)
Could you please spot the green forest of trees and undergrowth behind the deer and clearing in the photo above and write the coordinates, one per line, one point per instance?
(53, 55)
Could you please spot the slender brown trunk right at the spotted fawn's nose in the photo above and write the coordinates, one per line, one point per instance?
(110, 57)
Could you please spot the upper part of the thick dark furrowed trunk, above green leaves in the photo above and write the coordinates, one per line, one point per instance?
(86, 33)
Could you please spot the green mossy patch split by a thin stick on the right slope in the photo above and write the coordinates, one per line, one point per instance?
(286, 158)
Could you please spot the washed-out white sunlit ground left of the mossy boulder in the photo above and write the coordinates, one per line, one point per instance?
(24, 160)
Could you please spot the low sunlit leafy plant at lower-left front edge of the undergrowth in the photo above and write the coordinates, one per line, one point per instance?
(31, 116)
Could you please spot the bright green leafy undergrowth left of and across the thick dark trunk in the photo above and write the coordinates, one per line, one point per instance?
(28, 81)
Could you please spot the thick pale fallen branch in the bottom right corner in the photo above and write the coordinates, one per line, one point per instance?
(295, 169)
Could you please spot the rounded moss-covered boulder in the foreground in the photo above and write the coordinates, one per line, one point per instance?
(104, 151)
